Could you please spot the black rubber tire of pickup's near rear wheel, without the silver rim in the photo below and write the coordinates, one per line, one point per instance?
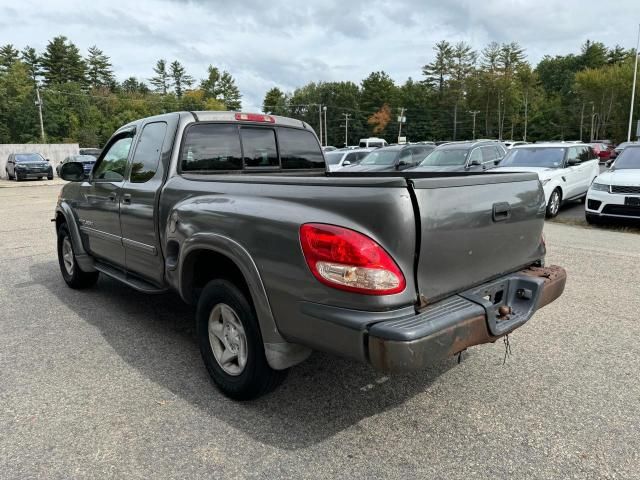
(256, 378)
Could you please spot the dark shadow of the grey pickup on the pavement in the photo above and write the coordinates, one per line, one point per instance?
(156, 336)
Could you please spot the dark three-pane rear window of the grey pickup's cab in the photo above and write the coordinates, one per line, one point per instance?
(225, 147)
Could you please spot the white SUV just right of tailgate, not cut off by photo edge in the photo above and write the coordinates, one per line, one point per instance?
(566, 170)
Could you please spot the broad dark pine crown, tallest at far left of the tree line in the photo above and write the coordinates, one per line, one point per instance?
(62, 63)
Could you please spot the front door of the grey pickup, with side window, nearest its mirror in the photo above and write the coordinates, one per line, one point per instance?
(99, 205)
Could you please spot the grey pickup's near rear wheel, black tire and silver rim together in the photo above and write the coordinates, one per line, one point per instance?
(231, 343)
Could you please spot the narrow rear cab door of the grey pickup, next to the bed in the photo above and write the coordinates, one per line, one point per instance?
(139, 199)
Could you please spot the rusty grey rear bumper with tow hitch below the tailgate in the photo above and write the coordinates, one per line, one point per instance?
(471, 318)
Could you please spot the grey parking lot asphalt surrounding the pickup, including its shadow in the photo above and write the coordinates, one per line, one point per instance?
(108, 382)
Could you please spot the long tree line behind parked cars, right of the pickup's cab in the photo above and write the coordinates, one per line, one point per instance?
(491, 93)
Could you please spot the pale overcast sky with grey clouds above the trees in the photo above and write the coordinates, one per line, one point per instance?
(266, 43)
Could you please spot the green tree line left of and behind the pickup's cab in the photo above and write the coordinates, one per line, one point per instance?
(83, 102)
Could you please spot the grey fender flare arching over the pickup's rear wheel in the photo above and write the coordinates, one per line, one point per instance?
(280, 353)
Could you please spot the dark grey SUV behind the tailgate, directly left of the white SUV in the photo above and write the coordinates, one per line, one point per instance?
(463, 156)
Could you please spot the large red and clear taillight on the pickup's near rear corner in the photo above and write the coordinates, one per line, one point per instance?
(345, 259)
